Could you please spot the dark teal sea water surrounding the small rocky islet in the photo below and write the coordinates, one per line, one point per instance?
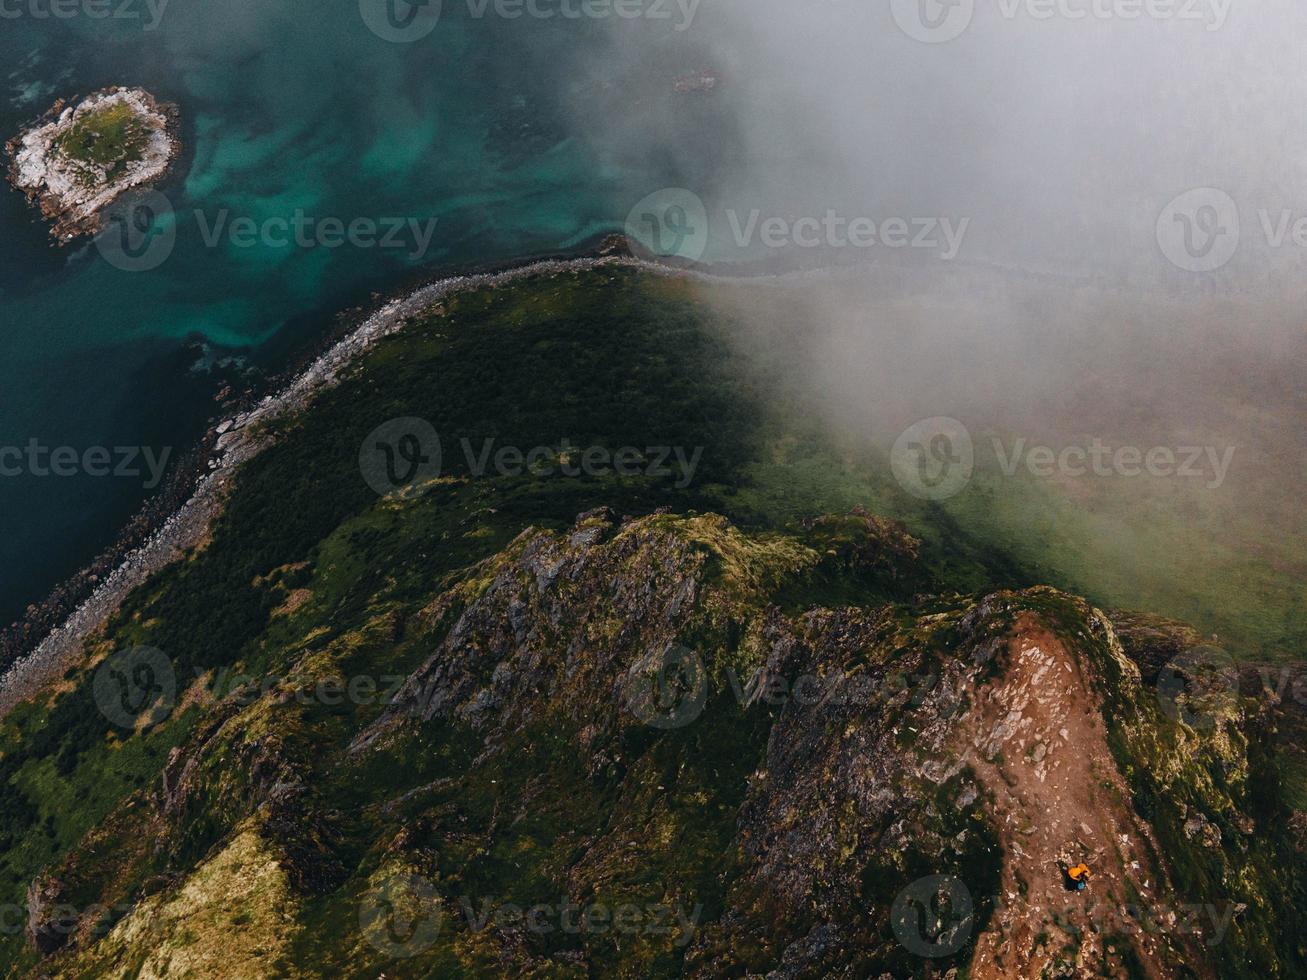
(290, 109)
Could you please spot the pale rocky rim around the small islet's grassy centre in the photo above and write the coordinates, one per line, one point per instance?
(58, 186)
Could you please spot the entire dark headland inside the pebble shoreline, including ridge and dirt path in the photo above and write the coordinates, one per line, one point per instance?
(602, 725)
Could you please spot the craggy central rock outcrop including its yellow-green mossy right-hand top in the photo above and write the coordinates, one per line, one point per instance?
(577, 621)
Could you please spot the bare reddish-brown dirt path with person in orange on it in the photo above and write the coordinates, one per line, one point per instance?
(1038, 744)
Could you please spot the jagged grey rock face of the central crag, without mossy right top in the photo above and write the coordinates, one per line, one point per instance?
(611, 594)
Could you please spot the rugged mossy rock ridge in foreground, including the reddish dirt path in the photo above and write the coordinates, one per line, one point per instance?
(621, 706)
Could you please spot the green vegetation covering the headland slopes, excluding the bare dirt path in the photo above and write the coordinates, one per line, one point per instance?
(512, 774)
